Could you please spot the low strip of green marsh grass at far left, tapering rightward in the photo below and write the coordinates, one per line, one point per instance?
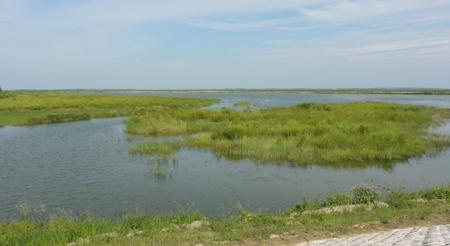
(32, 108)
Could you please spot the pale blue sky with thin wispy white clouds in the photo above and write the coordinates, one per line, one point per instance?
(214, 44)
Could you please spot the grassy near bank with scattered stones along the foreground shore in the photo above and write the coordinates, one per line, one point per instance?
(305, 221)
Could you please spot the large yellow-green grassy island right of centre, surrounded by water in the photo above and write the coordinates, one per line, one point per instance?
(304, 134)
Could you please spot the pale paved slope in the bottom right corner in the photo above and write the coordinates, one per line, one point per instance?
(427, 236)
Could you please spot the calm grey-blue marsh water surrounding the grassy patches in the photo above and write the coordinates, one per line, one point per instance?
(85, 167)
